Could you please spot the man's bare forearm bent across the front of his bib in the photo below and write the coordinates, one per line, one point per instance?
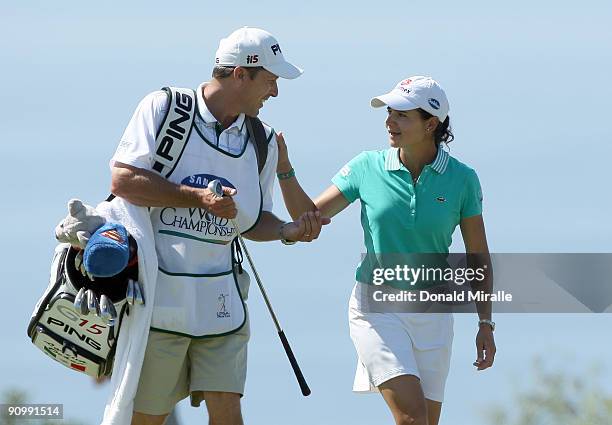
(145, 188)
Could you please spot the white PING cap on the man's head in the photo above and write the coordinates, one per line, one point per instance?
(251, 47)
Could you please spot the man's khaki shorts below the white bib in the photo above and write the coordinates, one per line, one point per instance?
(175, 367)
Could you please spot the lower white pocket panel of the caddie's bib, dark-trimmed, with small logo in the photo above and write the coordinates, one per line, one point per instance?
(204, 305)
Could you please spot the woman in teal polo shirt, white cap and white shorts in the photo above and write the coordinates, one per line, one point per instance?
(413, 195)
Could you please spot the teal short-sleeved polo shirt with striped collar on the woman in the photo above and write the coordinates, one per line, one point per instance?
(399, 217)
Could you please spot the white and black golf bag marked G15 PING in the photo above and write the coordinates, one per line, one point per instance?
(82, 342)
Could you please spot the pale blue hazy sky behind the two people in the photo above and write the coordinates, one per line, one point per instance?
(528, 85)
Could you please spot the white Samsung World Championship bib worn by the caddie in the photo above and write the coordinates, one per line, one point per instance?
(197, 291)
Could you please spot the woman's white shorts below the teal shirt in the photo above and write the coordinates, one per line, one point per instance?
(394, 344)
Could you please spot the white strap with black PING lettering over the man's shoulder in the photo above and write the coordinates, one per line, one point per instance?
(175, 130)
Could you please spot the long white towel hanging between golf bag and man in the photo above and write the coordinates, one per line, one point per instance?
(135, 327)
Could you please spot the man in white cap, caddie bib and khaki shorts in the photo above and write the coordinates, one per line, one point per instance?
(193, 228)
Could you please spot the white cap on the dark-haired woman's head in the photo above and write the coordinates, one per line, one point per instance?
(413, 93)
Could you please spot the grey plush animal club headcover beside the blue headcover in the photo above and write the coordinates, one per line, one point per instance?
(77, 227)
